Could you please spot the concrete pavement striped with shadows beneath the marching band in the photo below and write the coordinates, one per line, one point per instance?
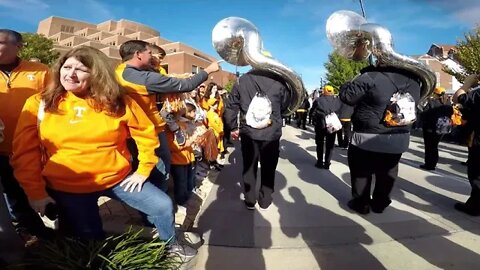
(309, 226)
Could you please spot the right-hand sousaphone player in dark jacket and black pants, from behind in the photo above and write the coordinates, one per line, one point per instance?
(376, 148)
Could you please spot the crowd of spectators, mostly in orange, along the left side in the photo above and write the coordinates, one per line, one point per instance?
(84, 129)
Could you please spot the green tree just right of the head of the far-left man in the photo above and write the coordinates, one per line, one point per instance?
(38, 46)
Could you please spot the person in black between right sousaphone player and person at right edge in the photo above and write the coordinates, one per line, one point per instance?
(438, 106)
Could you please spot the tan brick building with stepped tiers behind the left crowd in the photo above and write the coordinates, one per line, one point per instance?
(109, 35)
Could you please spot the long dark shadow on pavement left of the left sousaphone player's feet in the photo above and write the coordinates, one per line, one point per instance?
(226, 222)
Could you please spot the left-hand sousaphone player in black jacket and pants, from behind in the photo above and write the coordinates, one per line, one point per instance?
(257, 144)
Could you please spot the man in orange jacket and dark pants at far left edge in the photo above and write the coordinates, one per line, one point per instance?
(19, 80)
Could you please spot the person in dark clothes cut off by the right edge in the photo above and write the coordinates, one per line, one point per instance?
(470, 100)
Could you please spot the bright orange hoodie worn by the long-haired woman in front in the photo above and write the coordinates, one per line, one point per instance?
(87, 149)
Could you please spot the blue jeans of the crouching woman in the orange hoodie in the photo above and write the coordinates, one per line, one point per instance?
(79, 213)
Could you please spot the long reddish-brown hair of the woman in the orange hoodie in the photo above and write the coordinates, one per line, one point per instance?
(104, 92)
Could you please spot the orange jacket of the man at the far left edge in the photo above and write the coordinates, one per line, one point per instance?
(26, 79)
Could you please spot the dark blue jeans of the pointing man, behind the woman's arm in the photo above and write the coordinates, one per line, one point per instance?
(159, 174)
